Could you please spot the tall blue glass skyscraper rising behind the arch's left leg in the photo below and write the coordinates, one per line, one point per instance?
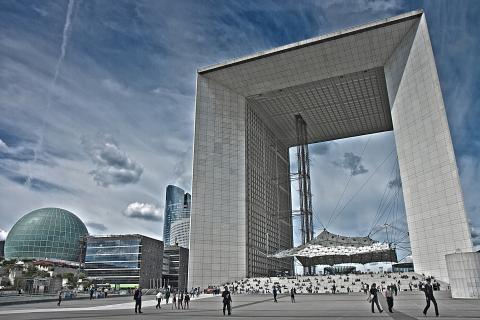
(177, 206)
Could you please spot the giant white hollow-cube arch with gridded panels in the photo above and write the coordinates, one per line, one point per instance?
(373, 78)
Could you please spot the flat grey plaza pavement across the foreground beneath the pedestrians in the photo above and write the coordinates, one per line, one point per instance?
(408, 305)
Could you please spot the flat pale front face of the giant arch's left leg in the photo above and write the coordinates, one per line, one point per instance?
(217, 236)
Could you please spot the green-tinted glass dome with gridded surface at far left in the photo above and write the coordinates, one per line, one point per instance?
(48, 233)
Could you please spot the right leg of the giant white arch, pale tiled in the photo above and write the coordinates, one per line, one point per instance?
(436, 216)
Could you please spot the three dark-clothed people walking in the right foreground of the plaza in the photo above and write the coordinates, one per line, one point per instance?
(391, 290)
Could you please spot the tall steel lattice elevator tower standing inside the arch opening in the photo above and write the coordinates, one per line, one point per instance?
(303, 163)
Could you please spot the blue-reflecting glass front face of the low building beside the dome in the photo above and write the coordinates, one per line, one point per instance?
(114, 260)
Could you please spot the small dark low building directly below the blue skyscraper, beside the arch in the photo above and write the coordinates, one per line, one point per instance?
(175, 268)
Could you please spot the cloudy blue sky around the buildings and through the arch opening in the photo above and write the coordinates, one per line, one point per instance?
(116, 126)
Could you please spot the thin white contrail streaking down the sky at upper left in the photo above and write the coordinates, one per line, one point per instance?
(58, 65)
